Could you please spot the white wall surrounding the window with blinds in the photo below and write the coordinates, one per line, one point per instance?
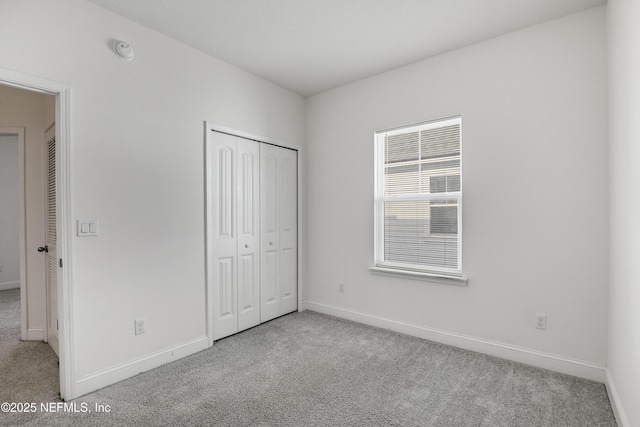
(535, 216)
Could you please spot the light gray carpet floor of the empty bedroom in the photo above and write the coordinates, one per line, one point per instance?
(309, 369)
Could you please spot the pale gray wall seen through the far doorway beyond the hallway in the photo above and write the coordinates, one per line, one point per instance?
(9, 213)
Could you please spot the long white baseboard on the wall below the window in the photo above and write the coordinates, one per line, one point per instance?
(552, 362)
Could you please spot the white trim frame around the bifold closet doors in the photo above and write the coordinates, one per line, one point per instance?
(208, 126)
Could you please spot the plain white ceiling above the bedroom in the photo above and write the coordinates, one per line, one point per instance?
(310, 46)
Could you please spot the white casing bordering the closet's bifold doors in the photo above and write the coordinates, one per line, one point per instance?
(209, 297)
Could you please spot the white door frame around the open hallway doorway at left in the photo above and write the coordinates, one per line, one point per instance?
(63, 209)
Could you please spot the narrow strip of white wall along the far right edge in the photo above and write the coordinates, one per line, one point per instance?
(624, 136)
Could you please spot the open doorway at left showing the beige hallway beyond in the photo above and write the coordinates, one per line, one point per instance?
(24, 298)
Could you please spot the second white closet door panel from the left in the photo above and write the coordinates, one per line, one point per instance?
(248, 202)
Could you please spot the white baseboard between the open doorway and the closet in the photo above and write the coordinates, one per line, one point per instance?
(100, 379)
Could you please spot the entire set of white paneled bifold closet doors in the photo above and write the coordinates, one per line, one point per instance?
(252, 233)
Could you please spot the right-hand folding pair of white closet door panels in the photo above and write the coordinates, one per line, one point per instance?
(278, 227)
